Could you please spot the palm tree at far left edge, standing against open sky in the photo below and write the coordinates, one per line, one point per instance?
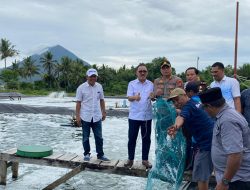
(7, 50)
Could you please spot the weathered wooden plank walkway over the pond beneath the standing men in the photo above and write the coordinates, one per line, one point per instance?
(73, 161)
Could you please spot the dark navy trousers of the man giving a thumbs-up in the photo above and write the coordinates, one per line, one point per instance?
(134, 126)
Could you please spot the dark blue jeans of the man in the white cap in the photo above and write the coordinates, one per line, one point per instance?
(97, 130)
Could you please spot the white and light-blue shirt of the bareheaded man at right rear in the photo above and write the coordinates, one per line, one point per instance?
(230, 89)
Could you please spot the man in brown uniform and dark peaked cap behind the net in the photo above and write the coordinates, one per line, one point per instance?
(167, 82)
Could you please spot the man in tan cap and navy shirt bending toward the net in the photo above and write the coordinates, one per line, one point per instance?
(197, 122)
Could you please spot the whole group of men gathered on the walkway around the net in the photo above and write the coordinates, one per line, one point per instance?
(211, 120)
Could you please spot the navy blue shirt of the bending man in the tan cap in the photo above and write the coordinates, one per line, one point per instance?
(198, 123)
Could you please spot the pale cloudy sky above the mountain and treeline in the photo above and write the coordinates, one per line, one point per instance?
(128, 32)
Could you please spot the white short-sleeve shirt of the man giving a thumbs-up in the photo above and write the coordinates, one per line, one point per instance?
(140, 110)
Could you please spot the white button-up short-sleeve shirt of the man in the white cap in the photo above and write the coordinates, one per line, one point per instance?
(90, 97)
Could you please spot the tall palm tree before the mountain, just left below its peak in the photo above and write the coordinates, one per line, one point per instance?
(49, 65)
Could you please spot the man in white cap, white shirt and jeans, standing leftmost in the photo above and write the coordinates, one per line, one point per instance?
(90, 112)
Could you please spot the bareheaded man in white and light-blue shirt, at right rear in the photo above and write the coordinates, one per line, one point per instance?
(230, 87)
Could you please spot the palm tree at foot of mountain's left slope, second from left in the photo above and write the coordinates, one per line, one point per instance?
(29, 68)
